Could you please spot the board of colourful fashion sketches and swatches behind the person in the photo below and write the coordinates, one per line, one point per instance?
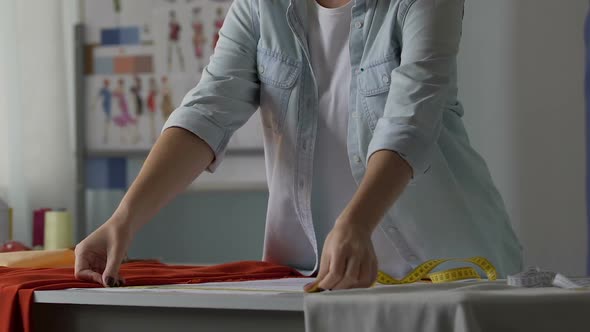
(141, 58)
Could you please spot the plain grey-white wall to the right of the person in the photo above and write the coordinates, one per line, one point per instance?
(521, 79)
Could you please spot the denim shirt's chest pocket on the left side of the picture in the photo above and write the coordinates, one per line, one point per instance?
(278, 75)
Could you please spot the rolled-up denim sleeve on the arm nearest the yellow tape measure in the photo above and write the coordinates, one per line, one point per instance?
(420, 86)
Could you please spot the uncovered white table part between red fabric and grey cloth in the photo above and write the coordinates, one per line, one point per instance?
(91, 310)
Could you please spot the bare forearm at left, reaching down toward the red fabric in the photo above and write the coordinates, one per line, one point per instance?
(176, 159)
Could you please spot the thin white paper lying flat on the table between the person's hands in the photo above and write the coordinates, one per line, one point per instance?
(261, 287)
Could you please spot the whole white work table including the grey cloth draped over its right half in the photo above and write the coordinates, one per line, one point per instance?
(470, 306)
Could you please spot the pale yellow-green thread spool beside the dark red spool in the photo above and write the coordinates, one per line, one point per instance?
(58, 230)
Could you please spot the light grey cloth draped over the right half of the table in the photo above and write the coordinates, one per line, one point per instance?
(450, 307)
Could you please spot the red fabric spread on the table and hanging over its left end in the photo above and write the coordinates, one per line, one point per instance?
(18, 284)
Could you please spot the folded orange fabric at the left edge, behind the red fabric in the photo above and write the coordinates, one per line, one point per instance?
(38, 258)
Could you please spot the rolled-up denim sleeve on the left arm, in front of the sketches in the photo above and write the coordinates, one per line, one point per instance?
(228, 92)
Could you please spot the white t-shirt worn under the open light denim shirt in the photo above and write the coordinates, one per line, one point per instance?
(333, 184)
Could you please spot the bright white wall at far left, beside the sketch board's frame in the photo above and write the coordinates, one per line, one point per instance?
(37, 109)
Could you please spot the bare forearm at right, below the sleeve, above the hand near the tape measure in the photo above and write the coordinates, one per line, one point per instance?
(386, 177)
